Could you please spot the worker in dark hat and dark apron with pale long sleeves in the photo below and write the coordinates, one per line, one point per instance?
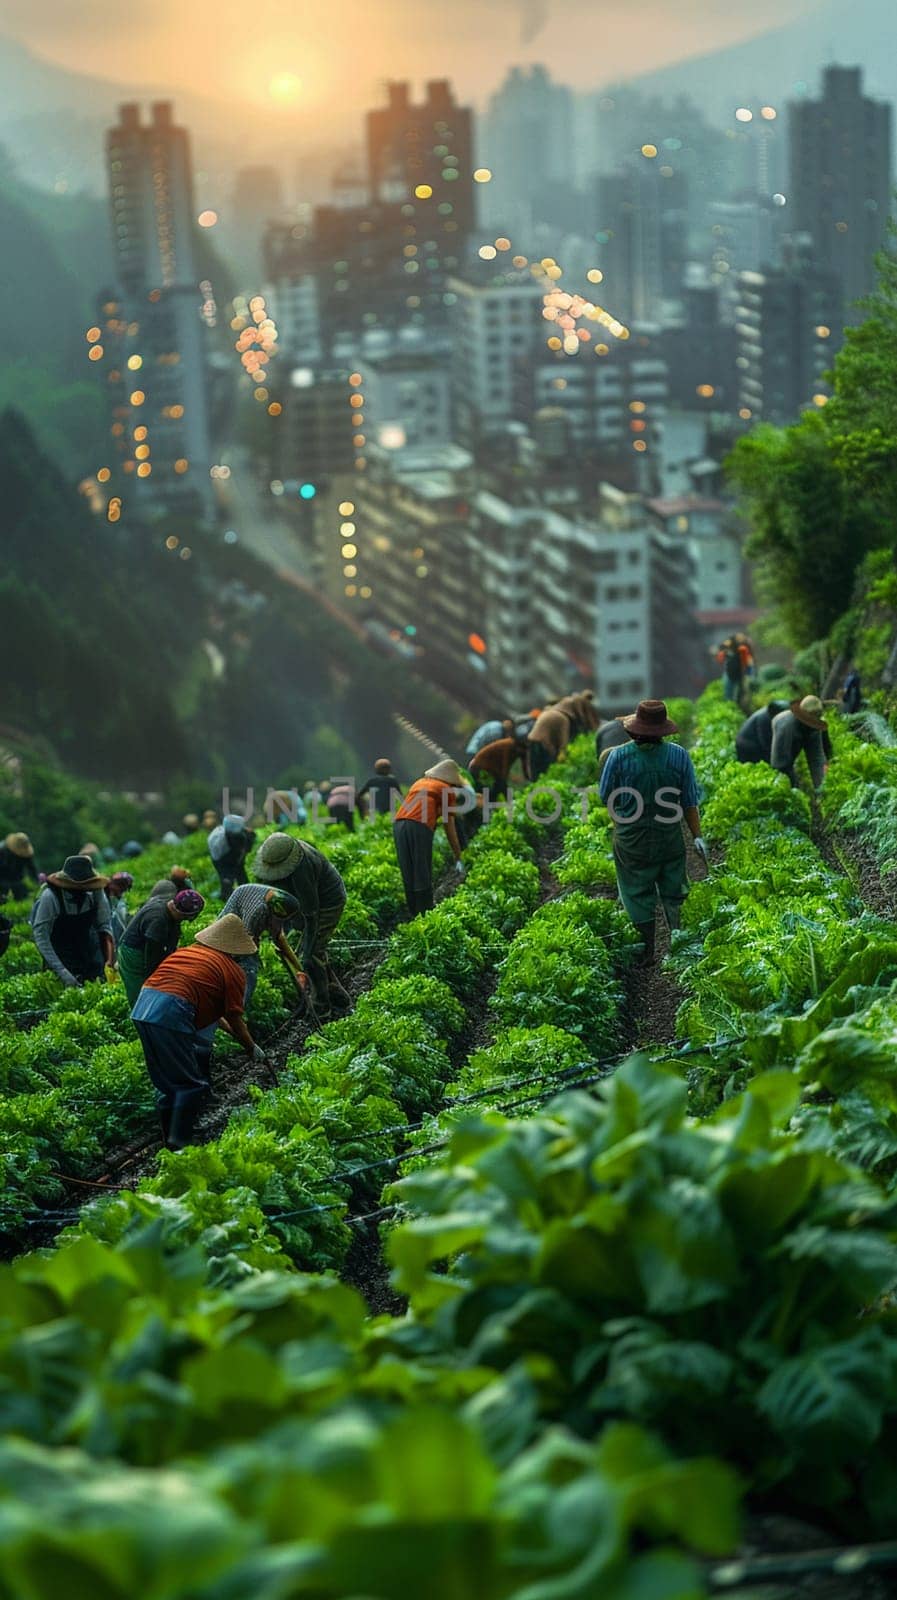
(73, 927)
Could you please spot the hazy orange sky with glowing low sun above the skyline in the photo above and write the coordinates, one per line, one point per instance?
(305, 52)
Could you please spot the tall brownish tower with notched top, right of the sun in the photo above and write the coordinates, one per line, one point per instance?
(425, 146)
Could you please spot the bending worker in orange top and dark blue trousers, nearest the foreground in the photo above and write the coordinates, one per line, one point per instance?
(177, 1014)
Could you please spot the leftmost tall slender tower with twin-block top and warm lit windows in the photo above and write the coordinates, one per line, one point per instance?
(161, 354)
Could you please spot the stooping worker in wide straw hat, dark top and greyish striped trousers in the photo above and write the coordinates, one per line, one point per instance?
(309, 878)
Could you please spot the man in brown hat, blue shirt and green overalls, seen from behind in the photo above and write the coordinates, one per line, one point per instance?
(648, 788)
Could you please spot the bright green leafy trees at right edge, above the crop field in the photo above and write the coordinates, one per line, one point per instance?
(821, 505)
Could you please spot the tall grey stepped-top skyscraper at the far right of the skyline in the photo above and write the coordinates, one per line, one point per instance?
(840, 178)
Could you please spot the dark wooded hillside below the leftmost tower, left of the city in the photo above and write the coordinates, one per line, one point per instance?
(138, 668)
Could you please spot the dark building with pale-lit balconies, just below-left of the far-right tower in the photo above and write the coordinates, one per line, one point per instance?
(787, 330)
